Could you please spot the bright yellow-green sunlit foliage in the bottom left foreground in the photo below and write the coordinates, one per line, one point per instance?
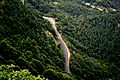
(7, 72)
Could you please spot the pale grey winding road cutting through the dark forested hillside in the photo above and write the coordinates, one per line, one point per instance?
(63, 44)
